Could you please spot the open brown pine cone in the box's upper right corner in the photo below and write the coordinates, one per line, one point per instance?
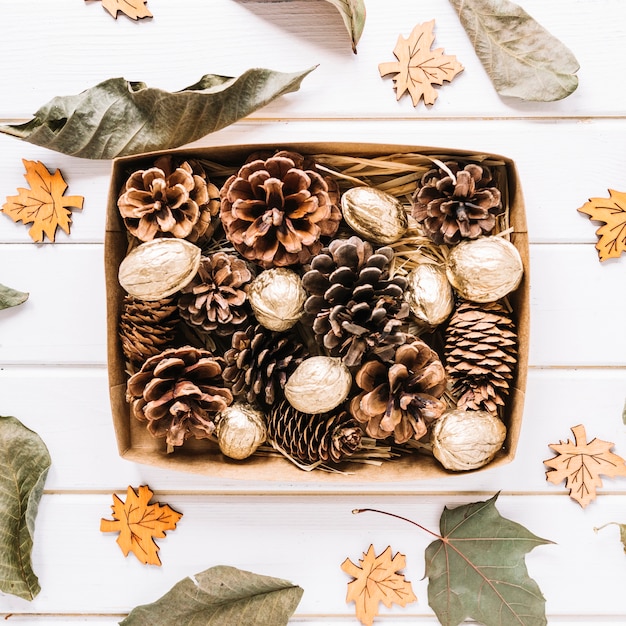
(463, 206)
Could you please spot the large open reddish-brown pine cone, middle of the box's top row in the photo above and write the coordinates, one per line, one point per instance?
(274, 212)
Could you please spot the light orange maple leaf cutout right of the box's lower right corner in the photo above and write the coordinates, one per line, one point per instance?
(580, 464)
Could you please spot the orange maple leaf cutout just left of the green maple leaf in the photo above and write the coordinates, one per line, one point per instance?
(376, 579)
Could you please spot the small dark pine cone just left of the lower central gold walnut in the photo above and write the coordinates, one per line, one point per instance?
(260, 361)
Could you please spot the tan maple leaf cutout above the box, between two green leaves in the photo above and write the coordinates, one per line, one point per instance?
(418, 67)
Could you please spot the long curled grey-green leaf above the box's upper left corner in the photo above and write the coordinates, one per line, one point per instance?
(118, 117)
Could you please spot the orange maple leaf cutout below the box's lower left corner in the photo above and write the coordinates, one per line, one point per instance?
(139, 523)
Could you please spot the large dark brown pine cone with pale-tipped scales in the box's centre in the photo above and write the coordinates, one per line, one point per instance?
(358, 308)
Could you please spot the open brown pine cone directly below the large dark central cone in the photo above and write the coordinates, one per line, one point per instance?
(401, 399)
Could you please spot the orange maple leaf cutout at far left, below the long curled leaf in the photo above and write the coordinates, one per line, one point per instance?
(43, 205)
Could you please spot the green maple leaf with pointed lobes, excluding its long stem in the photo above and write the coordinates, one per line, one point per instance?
(477, 569)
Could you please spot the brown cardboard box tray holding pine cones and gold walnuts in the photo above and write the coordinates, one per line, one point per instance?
(136, 444)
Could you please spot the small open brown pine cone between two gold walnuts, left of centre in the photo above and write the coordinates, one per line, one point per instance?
(215, 300)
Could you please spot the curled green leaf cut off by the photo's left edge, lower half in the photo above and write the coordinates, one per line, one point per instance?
(24, 464)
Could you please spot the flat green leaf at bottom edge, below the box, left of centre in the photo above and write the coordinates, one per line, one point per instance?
(221, 596)
